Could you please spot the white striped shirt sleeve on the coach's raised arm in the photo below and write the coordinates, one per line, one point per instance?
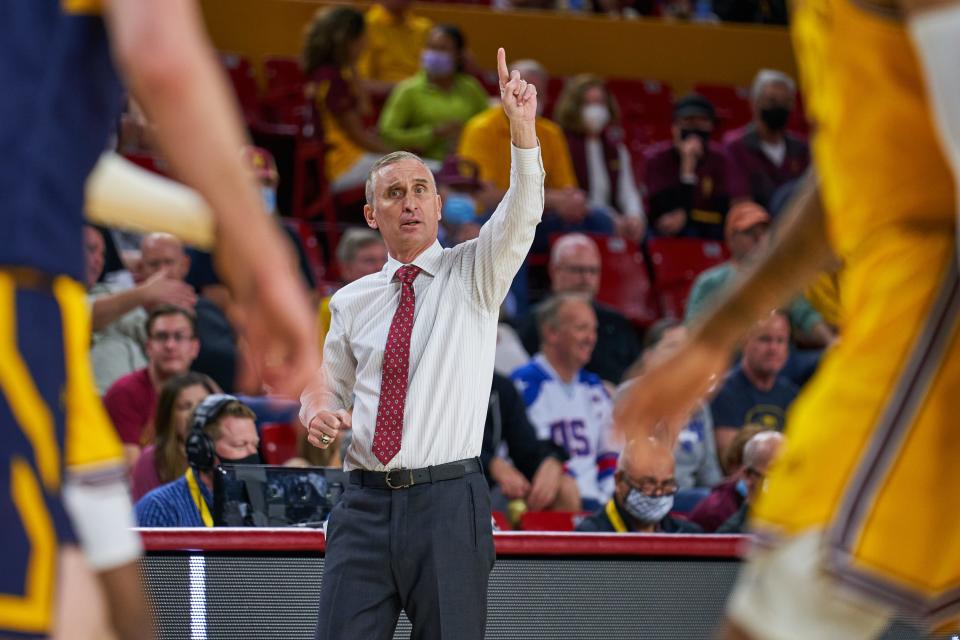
(505, 239)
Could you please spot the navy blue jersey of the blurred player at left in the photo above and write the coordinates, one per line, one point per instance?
(59, 97)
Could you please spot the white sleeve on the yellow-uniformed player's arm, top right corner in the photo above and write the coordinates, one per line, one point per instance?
(934, 26)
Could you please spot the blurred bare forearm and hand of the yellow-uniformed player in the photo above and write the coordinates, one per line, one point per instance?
(668, 392)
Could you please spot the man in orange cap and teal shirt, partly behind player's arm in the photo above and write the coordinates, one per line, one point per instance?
(747, 231)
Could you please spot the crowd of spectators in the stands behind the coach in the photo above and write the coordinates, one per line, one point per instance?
(164, 328)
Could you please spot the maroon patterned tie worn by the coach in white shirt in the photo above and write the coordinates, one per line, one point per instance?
(396, 367)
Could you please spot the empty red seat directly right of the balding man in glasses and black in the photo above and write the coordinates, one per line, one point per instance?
(625, 280)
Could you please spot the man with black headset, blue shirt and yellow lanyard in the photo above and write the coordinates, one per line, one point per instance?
(188, 500)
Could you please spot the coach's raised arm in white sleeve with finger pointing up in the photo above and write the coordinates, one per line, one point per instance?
(506, 238)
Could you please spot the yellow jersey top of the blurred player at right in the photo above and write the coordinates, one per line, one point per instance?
(875, 145)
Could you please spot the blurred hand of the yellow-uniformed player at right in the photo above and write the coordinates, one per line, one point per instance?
(660, 401)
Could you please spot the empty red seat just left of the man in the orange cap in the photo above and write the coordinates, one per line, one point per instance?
(676, 262)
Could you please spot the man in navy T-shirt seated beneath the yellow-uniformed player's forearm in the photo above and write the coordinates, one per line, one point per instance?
(755, 391)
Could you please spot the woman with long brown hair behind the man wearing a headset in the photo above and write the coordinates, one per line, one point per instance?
(164, 457)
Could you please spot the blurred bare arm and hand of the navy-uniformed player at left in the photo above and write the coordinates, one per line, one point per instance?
(170, 66)
